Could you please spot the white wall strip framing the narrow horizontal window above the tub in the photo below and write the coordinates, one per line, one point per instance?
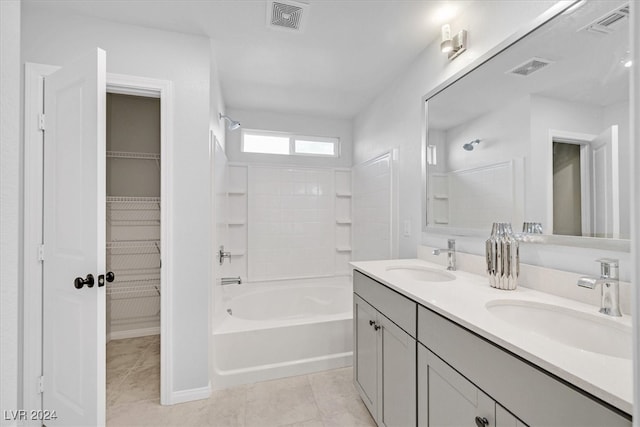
(293, 123)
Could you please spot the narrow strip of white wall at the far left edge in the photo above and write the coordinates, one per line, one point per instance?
(9, 204)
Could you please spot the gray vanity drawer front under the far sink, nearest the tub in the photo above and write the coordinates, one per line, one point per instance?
(401, 310)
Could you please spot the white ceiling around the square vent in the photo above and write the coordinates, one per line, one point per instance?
(349, 51)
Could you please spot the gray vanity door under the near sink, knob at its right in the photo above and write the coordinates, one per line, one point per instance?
(446, 398)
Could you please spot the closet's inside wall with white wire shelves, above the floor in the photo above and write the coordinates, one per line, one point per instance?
(133, 215)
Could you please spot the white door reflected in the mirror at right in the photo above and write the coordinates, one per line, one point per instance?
(605, 195)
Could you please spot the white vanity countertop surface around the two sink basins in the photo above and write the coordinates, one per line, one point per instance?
(463, 301)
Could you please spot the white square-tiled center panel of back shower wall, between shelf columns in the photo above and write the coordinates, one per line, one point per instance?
(290, 216)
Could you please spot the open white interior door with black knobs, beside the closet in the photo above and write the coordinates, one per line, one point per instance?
(74, 240)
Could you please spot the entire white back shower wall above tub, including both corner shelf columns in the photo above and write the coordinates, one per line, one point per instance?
(287, 223)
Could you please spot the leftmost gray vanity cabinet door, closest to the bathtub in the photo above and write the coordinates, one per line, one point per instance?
(365, 359)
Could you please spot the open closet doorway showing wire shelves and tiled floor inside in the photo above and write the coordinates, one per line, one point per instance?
(133, 214)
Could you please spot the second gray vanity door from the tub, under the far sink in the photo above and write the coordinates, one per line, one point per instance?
(397, 388)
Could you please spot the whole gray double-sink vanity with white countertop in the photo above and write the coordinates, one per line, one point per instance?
(431, 349)
